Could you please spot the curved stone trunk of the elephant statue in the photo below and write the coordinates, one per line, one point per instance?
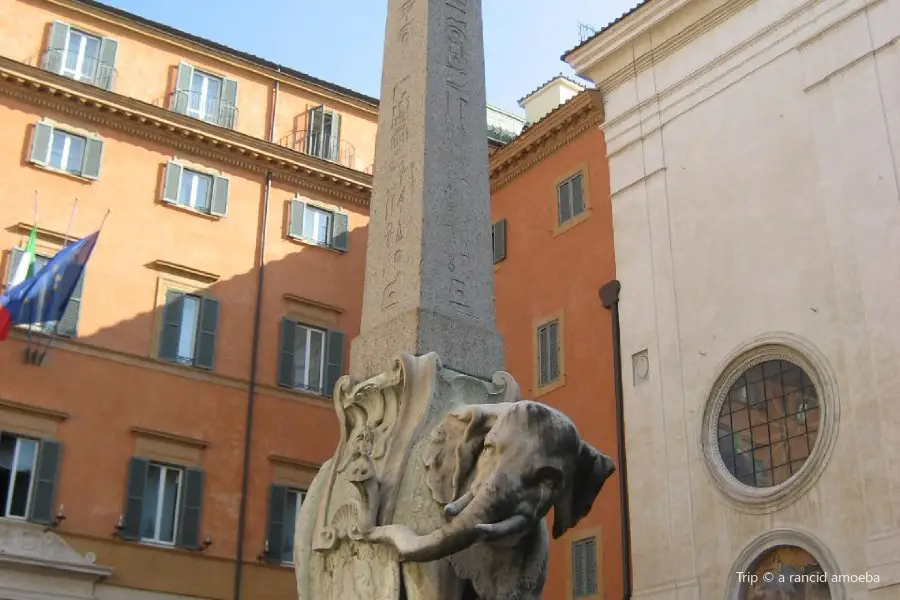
(458, 534)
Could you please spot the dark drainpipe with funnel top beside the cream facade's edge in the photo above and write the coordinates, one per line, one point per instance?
(609, 296)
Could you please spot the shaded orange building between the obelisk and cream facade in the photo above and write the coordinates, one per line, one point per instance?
(553, 250)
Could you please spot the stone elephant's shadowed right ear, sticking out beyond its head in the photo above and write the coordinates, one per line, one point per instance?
(592, 468)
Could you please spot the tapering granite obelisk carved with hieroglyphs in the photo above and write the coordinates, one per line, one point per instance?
(429, 270)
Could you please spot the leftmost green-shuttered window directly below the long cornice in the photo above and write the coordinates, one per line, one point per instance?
(64, 151)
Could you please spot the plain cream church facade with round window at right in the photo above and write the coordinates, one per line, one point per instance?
(753, 154)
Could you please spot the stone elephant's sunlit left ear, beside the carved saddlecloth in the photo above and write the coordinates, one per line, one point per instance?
(452, 451)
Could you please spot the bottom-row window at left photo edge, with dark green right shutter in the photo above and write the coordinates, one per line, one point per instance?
(28, 474)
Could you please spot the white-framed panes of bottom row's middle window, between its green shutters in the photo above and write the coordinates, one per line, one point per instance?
(162, 495)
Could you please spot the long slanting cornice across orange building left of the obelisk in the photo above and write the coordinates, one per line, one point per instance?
(36, 86)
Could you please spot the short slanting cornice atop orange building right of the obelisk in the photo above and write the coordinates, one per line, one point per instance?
(546, 136)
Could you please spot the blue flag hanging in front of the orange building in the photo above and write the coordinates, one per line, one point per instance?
(42, 298)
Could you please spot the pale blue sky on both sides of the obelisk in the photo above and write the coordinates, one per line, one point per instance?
(341, 40)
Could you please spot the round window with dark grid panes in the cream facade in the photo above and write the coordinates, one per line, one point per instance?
(768, 423)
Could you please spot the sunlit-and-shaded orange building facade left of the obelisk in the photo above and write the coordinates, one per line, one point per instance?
(160, 447)
